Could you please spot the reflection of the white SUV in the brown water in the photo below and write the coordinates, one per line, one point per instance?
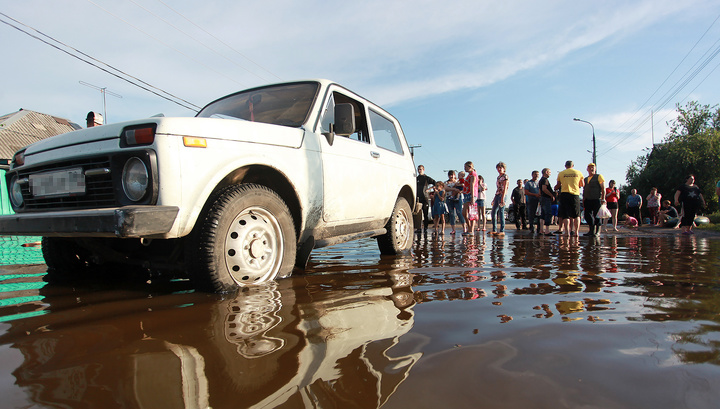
(295, 343)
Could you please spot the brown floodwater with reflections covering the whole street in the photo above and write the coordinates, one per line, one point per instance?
(517, 322)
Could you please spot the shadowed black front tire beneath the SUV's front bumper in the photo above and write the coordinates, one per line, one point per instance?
(66, 260)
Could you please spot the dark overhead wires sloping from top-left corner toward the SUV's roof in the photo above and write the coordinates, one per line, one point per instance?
(122, 75)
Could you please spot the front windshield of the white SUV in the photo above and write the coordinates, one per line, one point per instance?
(285, 104)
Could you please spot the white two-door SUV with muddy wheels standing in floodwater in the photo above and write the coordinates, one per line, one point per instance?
(238, 195)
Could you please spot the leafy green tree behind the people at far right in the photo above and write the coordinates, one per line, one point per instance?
(691, 147)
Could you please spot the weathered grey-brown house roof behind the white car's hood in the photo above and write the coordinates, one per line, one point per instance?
(25, 127)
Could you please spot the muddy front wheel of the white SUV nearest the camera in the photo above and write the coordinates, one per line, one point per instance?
(246, 237)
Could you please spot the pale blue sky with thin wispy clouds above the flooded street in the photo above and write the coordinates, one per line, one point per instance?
(468, 80)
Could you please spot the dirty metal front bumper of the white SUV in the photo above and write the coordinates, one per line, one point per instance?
(126, 222)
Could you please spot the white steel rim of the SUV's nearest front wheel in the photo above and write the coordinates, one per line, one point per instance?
(253, 247)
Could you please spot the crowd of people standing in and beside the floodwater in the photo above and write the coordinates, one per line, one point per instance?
(539, 203)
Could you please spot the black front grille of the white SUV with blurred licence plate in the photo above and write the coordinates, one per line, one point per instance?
(99, 190)
